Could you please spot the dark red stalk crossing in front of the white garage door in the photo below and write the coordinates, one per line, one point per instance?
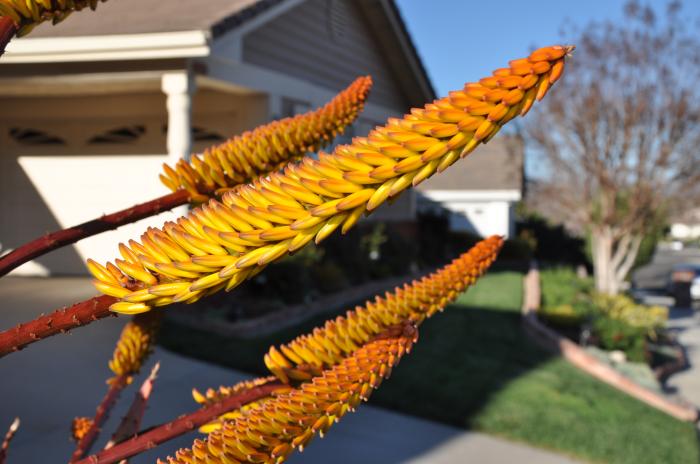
(60, 238)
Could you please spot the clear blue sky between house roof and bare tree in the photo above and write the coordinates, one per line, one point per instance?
(463, 40)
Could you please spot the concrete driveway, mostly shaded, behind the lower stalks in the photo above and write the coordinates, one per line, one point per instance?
(52, 381)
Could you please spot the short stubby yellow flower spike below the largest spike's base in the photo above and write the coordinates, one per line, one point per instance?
(135, 344)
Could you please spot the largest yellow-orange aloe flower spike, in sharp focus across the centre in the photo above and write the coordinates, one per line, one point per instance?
(221, 244)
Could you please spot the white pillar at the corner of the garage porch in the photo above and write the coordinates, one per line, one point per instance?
(179, 87)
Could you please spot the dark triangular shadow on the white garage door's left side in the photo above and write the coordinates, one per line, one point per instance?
(26, 216)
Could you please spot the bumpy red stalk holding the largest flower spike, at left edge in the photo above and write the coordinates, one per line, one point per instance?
(59, 321)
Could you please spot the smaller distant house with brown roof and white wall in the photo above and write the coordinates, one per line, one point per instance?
(480, 193)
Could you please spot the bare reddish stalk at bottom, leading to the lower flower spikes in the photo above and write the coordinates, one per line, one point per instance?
(179, 426)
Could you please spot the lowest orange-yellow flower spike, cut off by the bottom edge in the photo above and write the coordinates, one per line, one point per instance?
(270, 432)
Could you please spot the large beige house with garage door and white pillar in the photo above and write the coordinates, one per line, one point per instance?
(92, 107)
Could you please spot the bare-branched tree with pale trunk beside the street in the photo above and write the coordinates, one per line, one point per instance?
(622, 137)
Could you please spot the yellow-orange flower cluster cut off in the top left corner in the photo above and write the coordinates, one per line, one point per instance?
(26, 14)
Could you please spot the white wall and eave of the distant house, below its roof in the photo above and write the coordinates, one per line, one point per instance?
(485, 212)
